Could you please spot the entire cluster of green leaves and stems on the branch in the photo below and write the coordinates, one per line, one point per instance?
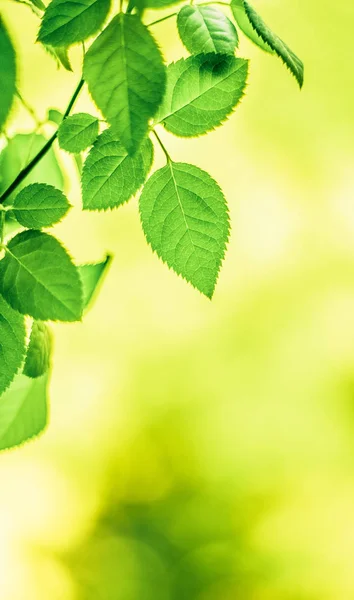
(183, 211)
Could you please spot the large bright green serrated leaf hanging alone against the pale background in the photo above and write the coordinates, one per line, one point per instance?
(185, 220)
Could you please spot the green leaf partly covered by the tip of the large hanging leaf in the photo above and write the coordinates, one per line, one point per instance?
(110, 175)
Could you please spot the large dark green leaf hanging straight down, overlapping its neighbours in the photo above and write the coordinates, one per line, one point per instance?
(126, 77)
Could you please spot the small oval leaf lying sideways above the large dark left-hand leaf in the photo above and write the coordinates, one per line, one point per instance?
(39, 205)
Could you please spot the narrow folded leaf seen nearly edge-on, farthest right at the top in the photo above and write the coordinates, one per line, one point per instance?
(288, 57)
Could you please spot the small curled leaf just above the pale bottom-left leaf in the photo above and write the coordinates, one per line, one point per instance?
(39, 350)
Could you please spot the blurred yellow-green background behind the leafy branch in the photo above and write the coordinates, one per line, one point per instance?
(205, 450)
